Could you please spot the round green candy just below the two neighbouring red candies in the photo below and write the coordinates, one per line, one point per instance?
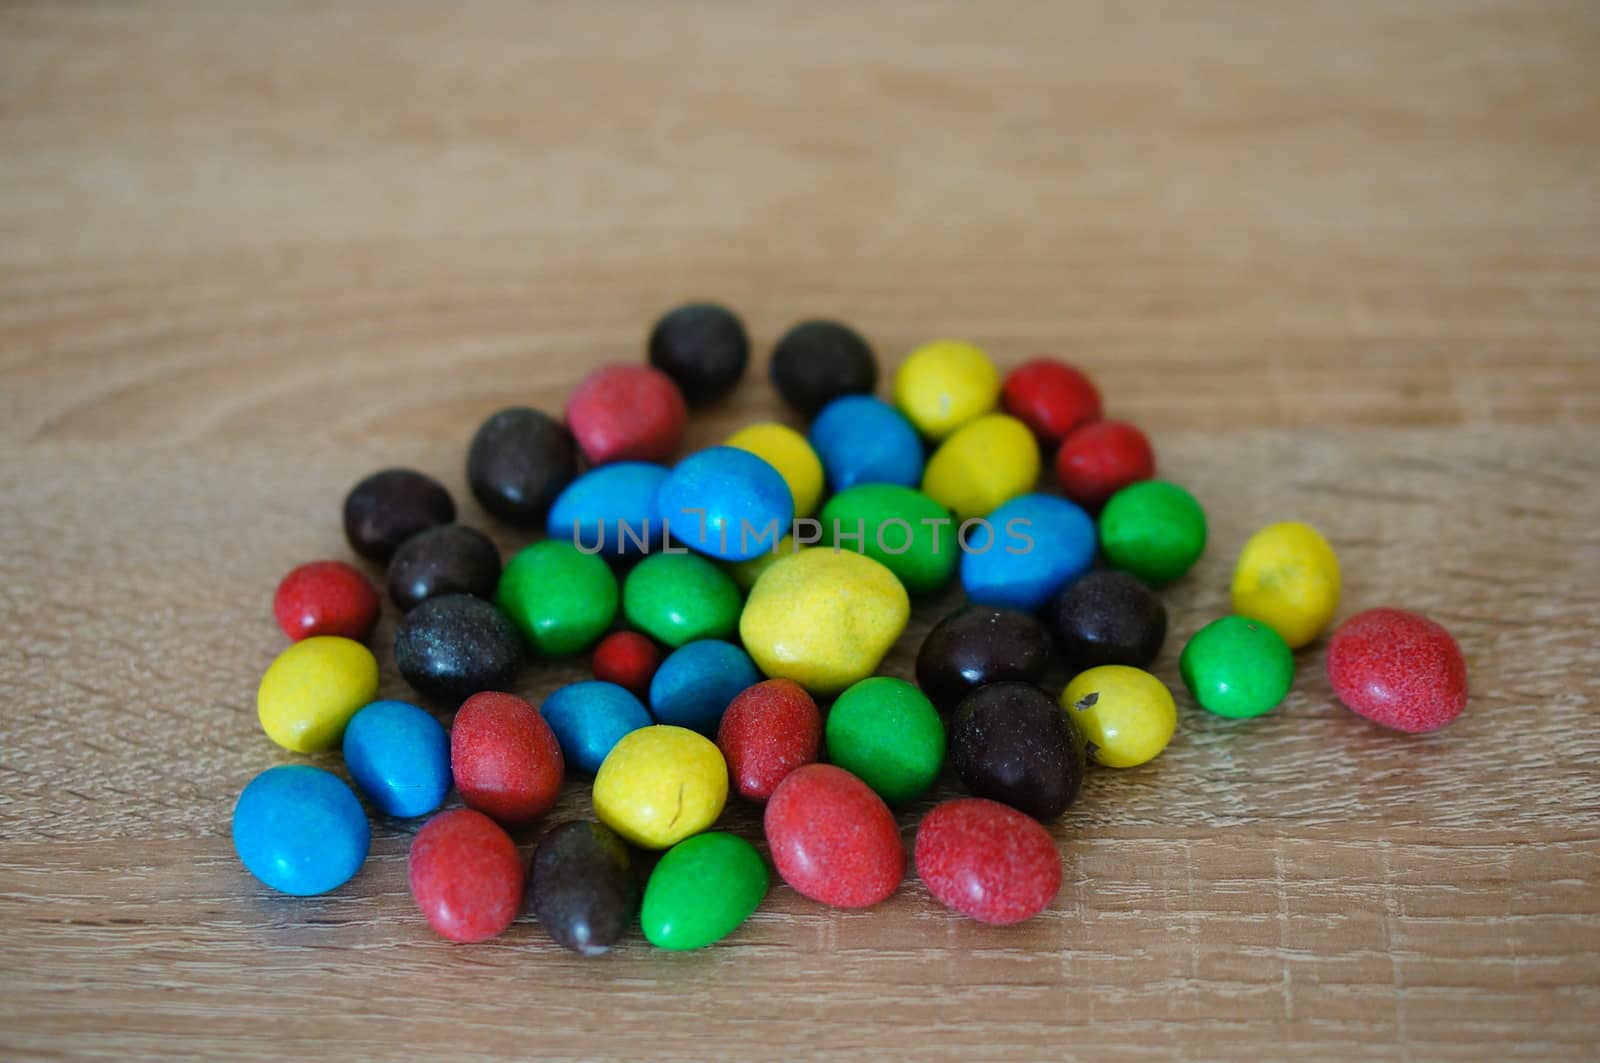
(1153, 529)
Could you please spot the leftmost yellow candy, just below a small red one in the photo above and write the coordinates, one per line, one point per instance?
(313, 691)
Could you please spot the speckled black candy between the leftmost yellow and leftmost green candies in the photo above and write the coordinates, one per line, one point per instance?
(455, 646)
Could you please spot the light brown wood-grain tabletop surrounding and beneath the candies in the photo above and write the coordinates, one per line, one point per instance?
(1343, 260)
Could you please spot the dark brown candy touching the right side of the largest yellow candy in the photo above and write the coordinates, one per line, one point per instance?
(978, 646)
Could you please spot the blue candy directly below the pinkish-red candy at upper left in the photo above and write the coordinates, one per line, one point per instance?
(602, 500)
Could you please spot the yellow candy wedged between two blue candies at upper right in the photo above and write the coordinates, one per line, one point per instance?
(986, 463)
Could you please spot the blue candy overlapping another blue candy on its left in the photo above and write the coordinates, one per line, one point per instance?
(727, 503)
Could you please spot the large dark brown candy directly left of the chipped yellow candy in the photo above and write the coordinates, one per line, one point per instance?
(1012, 744)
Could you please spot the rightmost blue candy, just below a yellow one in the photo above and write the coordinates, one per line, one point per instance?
(1039, 544)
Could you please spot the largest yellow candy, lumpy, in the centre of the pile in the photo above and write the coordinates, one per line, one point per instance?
(823, 620)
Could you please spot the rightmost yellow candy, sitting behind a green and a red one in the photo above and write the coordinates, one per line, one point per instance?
(1289, 579)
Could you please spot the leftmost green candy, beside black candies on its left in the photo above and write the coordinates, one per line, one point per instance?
(559, 598)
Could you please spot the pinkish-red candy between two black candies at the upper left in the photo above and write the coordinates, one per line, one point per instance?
(626, 414)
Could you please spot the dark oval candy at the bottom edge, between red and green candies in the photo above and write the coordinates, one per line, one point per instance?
(583, 889)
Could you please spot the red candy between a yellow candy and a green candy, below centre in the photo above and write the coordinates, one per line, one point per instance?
(769, 731)
